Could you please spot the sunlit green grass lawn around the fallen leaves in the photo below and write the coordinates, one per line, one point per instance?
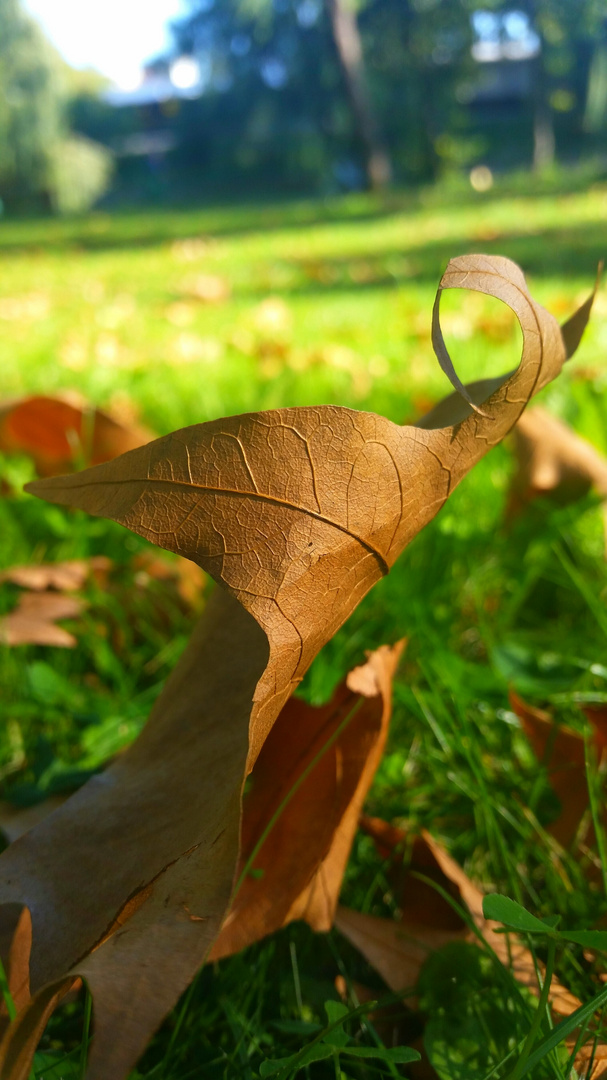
(104, 306)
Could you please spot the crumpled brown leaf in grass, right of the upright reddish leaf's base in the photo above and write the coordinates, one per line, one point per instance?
(398, 950)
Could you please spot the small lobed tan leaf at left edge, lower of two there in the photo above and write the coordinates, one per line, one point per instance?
(34, 620)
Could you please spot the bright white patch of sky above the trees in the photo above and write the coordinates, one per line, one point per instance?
(113, 36)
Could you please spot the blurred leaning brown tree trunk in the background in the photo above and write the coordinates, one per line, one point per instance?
(349, 50)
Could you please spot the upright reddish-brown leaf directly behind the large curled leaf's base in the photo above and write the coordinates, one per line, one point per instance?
(292, 862)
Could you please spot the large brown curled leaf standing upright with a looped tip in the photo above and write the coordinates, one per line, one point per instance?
(296, 514)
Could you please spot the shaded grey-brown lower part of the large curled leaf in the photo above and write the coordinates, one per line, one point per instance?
(133, 901)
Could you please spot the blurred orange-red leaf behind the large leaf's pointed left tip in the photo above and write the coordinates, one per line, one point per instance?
(58, 433)
